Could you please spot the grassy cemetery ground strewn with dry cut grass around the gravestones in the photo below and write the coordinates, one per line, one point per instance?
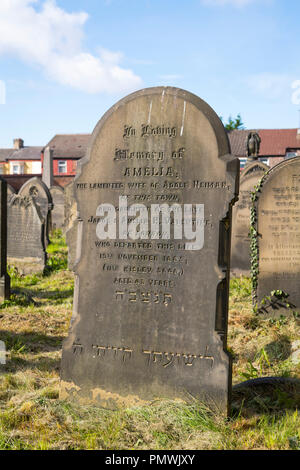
(33, 325)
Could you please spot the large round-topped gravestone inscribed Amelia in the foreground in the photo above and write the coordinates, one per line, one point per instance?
(150, 314)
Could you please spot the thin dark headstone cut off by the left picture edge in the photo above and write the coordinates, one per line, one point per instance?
(4, 277)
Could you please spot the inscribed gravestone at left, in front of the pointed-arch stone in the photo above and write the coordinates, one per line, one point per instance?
(26, 240)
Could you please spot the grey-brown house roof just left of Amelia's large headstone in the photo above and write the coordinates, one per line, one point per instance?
(69, 145)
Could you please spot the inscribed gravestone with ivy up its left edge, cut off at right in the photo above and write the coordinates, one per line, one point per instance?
(277, 210)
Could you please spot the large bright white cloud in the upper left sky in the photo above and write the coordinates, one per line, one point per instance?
(45, 35)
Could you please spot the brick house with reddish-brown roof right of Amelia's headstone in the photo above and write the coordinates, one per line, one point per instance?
(276, 144)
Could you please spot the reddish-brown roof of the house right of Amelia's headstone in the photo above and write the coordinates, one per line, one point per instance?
(274, 142)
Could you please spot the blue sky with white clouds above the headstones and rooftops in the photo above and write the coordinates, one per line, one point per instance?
(64, 63)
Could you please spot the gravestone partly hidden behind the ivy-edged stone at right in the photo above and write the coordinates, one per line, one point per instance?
(240, 246)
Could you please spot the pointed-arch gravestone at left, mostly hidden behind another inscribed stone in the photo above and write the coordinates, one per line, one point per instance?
(36, 189)
